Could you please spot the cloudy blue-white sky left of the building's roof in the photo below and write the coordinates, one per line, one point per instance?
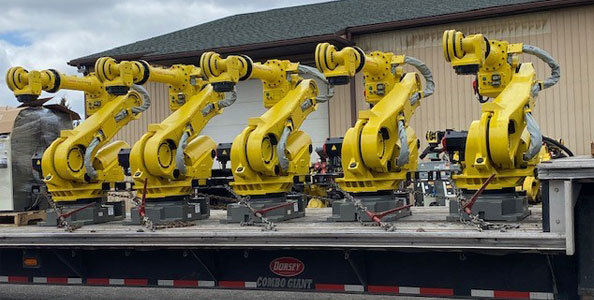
(41, 35)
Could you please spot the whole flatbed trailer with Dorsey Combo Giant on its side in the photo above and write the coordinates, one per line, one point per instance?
(550, 255)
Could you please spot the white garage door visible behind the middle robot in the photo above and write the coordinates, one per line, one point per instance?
(226, 126)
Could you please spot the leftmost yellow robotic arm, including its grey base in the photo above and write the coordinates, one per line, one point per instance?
(81, 165)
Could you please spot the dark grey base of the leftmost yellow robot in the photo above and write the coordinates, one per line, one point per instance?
(102, 212)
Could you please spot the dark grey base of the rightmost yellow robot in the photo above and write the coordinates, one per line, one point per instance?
(494, 206)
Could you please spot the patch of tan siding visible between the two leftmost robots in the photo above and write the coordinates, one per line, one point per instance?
(158, 111)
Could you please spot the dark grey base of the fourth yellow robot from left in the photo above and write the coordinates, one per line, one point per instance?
(344, 210)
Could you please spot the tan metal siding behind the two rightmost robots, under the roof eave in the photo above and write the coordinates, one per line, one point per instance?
(565, 111)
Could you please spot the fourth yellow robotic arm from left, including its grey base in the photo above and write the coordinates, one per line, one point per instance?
(381, 149)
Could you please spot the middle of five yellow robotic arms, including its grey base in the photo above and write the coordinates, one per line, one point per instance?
(271, 153)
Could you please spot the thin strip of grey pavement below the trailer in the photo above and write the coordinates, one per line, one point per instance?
(31, 292)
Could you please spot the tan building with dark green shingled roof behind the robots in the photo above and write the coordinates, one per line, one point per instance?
(563, 27)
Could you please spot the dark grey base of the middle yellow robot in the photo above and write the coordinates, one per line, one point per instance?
(237, 213)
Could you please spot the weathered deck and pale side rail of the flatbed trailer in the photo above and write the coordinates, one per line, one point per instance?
(425, 229)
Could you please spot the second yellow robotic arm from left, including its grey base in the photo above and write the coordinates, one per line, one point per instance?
(172, 156)
